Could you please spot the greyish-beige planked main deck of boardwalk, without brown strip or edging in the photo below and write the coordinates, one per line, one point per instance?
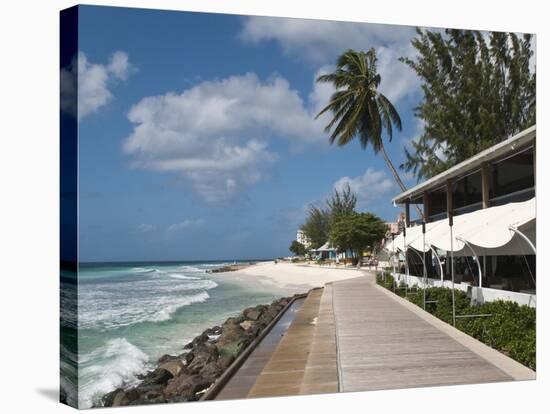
(383, 345)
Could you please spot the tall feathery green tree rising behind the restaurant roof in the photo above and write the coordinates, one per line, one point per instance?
(478, 90)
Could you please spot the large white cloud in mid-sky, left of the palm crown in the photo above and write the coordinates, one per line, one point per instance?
(216, 133)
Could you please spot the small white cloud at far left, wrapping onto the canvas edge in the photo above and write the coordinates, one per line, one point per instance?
(95, 82)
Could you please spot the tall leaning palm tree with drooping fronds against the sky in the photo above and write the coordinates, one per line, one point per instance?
(358, 108)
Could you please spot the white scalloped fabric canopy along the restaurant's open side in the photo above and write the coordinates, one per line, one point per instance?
(486, 231)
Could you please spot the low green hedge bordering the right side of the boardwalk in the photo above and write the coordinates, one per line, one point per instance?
(511, 329)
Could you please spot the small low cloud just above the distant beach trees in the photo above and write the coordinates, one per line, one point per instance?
(369, 187)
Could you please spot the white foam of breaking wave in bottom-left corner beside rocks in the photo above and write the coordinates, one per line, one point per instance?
(120, 364)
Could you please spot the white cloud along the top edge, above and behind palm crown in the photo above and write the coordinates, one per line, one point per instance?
(320, 42)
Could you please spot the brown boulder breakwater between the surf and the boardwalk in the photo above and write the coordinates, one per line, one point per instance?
(185, 377)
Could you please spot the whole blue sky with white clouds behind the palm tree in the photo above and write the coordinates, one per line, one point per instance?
(197, 137)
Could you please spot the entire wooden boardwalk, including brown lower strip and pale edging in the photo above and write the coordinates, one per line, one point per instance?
(354, 335)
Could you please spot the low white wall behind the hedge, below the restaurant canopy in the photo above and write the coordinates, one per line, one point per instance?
(477, 294)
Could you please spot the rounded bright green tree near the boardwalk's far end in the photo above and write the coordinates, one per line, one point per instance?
(357, 232)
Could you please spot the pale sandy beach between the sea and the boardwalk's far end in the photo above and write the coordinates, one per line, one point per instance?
(295, 277)
